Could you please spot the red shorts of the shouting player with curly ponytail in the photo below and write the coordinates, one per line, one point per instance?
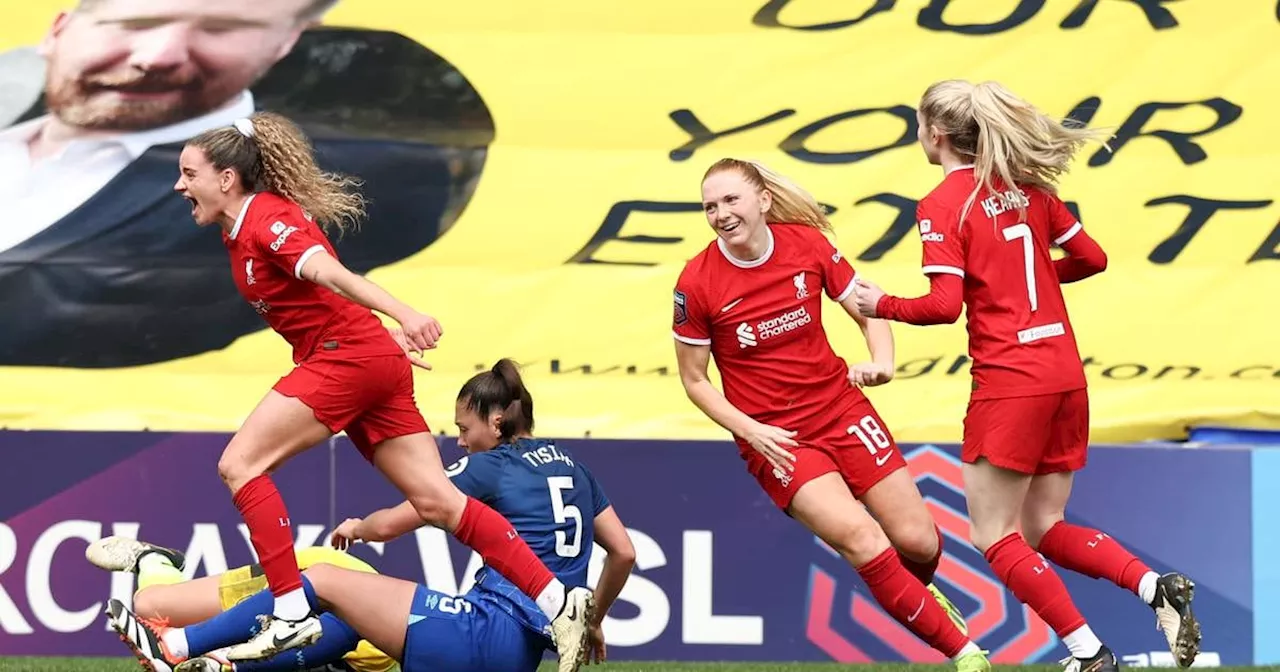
(371, 399)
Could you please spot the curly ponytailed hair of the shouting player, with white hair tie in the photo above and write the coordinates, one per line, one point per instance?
(272, 154)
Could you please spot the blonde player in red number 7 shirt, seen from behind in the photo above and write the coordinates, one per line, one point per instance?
(986, 234)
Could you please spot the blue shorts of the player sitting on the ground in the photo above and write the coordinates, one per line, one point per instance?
(452, 634)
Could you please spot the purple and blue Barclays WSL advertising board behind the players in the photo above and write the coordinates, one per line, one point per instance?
(721, 575)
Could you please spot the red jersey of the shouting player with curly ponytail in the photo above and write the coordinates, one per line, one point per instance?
(271, 241)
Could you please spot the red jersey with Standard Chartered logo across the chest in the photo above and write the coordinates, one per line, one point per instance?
(764, 323)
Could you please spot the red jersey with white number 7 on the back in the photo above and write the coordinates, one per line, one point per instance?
(1021, 340)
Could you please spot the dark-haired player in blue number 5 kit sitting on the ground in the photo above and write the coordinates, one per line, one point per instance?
(551, 500)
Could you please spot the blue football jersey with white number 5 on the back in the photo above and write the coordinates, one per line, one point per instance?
(551, 500)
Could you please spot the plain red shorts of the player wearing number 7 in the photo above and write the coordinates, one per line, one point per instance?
(1041, 435)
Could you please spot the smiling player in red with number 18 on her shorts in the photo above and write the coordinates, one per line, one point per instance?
(813, 442)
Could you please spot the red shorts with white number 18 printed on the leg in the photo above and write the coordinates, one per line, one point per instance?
(860, 447)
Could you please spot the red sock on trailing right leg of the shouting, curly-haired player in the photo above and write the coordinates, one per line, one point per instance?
(492, 536)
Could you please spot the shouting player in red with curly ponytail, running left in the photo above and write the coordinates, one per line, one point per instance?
(259, 182)
